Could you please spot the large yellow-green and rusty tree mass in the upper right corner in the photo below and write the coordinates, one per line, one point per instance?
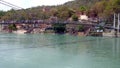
(106, 8)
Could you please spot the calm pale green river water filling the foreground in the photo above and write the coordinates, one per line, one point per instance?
(58, 51)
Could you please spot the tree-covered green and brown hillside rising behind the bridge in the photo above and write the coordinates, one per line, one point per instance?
(93, 8)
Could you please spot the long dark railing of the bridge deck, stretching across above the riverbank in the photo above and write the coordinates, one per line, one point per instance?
(45, 22)
